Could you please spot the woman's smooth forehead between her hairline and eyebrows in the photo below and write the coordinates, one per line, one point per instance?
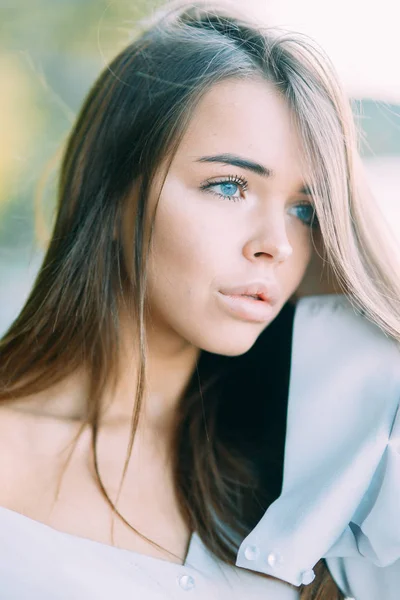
(243, 118)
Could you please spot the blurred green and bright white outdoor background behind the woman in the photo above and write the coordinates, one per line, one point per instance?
(51, 51)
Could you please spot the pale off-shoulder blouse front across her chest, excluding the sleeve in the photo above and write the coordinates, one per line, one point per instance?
(38, 562)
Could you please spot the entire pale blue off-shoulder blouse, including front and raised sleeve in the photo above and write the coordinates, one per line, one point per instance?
(340, 498)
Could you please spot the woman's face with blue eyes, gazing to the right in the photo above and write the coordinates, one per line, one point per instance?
(233, 211)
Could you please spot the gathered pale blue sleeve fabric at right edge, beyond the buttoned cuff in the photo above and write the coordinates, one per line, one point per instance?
(372, 570)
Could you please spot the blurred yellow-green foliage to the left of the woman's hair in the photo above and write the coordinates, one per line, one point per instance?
(51, 51)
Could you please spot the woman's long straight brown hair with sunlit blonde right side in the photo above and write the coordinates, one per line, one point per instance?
(131, 122)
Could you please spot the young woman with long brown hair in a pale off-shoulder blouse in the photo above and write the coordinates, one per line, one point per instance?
(181, 411)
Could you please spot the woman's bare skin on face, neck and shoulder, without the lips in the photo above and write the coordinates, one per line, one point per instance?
(202, 242)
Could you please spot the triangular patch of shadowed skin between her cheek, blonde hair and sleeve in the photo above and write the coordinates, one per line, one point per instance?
(319, 277)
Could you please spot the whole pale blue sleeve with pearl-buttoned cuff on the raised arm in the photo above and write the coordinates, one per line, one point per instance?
(340, 498)
